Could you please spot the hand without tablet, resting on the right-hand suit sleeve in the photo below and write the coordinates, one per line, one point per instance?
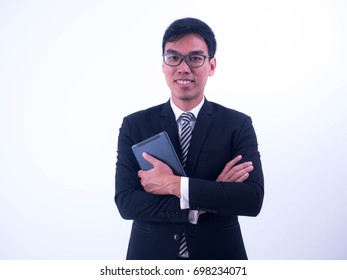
(235, 173)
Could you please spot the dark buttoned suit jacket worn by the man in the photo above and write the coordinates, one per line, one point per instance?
(219, 135)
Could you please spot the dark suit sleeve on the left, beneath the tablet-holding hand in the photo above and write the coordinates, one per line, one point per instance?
(132, 201)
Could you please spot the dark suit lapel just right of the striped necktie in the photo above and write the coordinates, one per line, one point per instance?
(200, 133)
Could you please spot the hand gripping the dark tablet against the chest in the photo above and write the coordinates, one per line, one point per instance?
(160, 179)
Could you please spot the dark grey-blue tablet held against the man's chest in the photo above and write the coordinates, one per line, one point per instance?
(161, 148)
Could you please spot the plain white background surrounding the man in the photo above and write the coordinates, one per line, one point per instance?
(71, 70)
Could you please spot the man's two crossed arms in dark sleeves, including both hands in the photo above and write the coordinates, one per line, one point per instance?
(233, 188)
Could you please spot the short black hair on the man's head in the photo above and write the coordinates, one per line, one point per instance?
(185, 26)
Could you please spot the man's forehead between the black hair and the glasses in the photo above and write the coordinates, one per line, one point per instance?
(188, 43)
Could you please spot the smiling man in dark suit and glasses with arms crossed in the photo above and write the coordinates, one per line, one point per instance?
(193, 217)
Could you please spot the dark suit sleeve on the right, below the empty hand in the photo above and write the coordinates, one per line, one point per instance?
(233, 198)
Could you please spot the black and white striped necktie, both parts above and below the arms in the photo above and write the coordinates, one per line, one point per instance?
(186, 135)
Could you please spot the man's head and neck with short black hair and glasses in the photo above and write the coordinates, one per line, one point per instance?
(189, 47)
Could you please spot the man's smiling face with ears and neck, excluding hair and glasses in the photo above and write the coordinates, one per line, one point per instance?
(187, 83)
